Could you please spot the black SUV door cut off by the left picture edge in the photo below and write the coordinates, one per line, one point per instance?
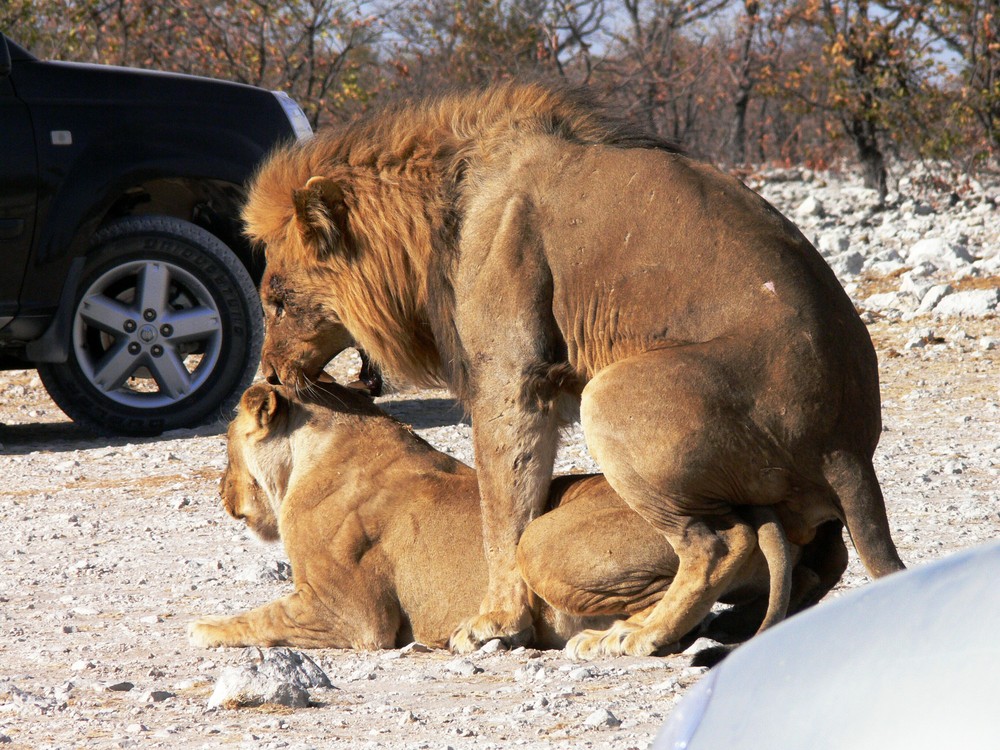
(18, 189)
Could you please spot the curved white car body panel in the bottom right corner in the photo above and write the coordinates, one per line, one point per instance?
(910, 661)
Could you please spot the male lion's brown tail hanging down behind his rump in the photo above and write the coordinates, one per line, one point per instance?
(856, 486)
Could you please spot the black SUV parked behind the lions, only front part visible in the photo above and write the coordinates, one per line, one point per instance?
(125, 278)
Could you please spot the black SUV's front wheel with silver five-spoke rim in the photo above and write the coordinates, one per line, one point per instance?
(166, 331)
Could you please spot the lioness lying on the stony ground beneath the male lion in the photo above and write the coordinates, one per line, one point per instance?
(383, 533)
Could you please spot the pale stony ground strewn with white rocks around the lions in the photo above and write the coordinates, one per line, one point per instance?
(110, 547)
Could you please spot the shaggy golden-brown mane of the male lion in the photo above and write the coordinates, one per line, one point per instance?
(406, 173)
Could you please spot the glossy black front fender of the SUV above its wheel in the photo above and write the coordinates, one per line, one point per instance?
(99, 132)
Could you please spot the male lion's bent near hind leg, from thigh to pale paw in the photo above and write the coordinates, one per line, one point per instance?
(680, 455)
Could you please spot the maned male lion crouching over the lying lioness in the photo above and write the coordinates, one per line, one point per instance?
(534, 253)
